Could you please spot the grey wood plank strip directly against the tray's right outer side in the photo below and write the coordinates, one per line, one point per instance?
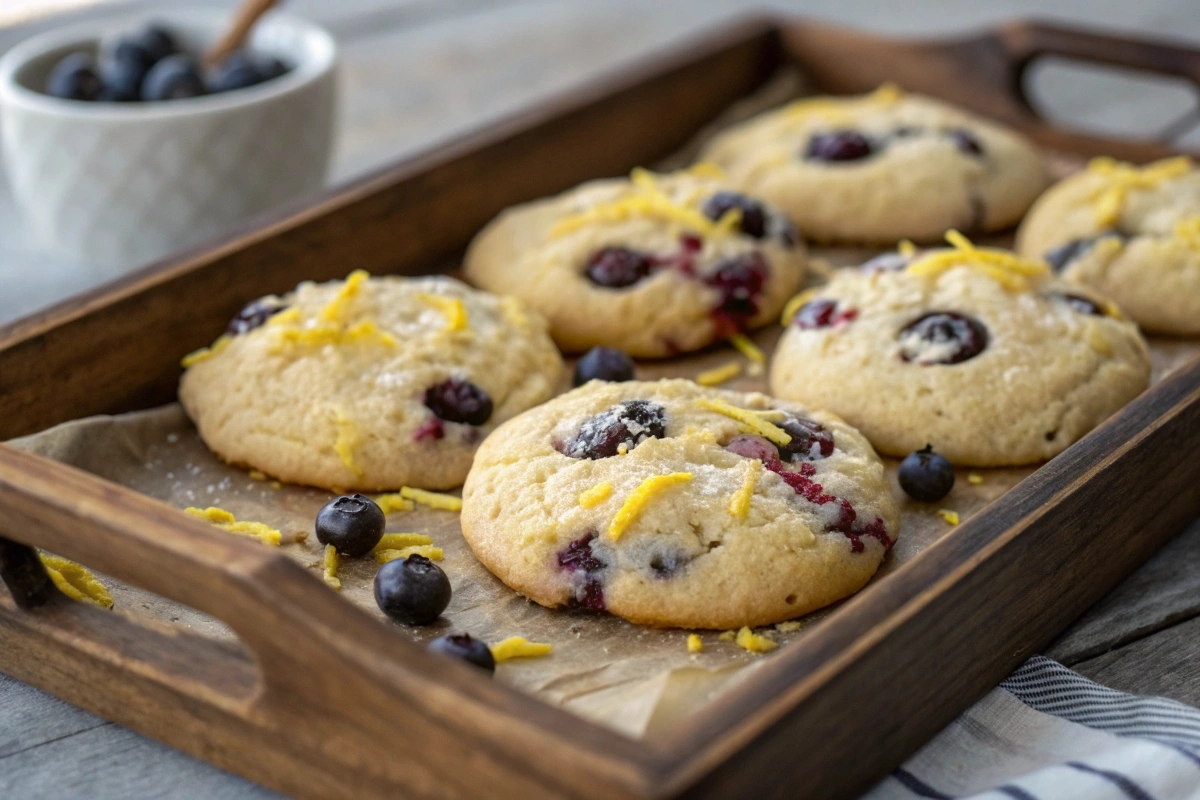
(1163, 593)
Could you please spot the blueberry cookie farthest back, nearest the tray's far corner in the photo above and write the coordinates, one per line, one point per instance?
(883, 167)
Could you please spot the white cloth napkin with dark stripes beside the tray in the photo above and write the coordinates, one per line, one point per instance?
(1048, 733)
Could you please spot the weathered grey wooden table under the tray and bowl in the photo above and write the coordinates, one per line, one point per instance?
(419, 71)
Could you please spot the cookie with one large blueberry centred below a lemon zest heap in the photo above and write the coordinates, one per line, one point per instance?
(974, 351)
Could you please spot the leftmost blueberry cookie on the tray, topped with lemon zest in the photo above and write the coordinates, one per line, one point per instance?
(369, 383)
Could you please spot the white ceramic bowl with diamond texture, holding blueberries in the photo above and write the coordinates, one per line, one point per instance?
(117, 185)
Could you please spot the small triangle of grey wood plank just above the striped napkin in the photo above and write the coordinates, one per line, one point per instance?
(1167, 664)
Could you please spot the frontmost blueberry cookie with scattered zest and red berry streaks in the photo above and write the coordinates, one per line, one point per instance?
(675, 506)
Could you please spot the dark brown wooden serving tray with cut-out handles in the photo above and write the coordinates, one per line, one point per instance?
(325, 701)
